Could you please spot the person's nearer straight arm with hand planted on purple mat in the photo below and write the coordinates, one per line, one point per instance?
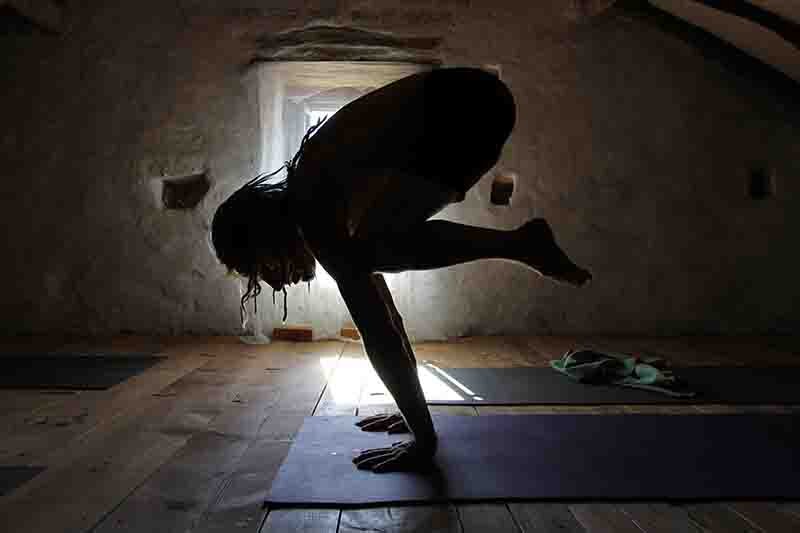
(385, 341)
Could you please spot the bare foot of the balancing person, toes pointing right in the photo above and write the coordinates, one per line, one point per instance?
(545, 256)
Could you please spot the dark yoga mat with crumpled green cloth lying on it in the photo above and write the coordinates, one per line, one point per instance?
(537, 385)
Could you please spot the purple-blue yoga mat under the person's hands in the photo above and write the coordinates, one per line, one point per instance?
(516, 457)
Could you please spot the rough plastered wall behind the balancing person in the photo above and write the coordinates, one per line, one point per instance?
(634, 146)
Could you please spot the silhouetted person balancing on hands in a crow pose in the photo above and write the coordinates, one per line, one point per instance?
(358, 198)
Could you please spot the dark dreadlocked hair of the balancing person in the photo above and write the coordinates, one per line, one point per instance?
(238, 225)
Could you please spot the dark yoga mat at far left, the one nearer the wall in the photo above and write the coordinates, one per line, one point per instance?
(87, 372)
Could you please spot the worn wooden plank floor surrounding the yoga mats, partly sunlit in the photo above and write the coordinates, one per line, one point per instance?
(192, 444)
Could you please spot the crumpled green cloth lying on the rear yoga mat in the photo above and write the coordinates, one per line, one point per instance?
(649, 373)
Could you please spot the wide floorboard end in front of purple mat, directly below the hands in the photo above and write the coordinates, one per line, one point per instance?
(410, 519)
